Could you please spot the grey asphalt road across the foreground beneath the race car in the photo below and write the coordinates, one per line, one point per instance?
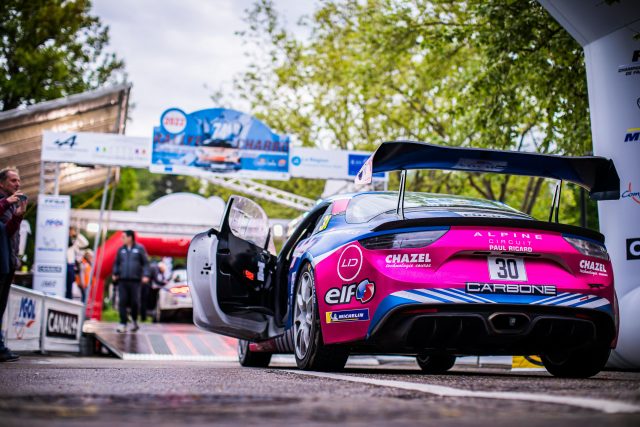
(70, 391)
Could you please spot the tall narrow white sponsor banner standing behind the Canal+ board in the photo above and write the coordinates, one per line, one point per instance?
(52, 235)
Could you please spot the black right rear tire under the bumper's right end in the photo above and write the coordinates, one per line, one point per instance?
(582, 363)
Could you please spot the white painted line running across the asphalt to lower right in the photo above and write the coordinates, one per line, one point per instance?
(603, 405)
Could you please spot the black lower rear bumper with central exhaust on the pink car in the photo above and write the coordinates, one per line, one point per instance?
(494, 330)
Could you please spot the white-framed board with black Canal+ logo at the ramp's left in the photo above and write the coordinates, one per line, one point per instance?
(62, 325)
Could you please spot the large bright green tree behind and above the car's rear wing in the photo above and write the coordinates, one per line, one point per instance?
(482, 73)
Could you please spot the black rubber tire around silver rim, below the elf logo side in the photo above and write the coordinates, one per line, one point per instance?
(318, 356)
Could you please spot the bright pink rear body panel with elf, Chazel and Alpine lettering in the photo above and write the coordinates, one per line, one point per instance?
(448, 263)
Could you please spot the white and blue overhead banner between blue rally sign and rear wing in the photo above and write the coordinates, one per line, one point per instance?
(327, 164)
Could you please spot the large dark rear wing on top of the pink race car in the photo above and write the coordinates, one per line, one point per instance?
(596, 174)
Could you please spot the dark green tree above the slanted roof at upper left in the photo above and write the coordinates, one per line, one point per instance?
(50, 49)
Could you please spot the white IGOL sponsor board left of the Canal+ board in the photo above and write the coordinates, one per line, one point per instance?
(22, 321)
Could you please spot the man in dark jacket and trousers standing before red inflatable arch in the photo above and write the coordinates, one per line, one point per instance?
(130, 269)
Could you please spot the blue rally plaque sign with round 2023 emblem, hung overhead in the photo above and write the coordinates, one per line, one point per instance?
(218, 141)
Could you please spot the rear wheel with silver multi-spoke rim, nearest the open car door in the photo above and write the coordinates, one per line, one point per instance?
(310, 351)
